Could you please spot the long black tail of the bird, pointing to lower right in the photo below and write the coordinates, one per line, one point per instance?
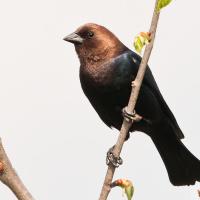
(182, 166)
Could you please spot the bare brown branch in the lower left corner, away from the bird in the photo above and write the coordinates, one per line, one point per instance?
(9, 177)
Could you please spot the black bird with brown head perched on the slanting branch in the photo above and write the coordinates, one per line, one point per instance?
(107, 68)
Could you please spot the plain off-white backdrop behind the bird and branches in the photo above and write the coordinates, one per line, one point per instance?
(54, 138)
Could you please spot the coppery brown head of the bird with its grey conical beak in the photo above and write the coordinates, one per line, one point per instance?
(94, 43)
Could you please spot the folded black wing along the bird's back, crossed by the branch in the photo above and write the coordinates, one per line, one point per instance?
(150, 82)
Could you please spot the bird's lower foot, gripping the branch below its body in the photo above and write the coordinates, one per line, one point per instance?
(112, 159)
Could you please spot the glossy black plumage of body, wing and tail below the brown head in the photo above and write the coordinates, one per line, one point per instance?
(110, 97)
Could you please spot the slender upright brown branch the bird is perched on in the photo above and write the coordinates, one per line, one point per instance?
(131, 105)
